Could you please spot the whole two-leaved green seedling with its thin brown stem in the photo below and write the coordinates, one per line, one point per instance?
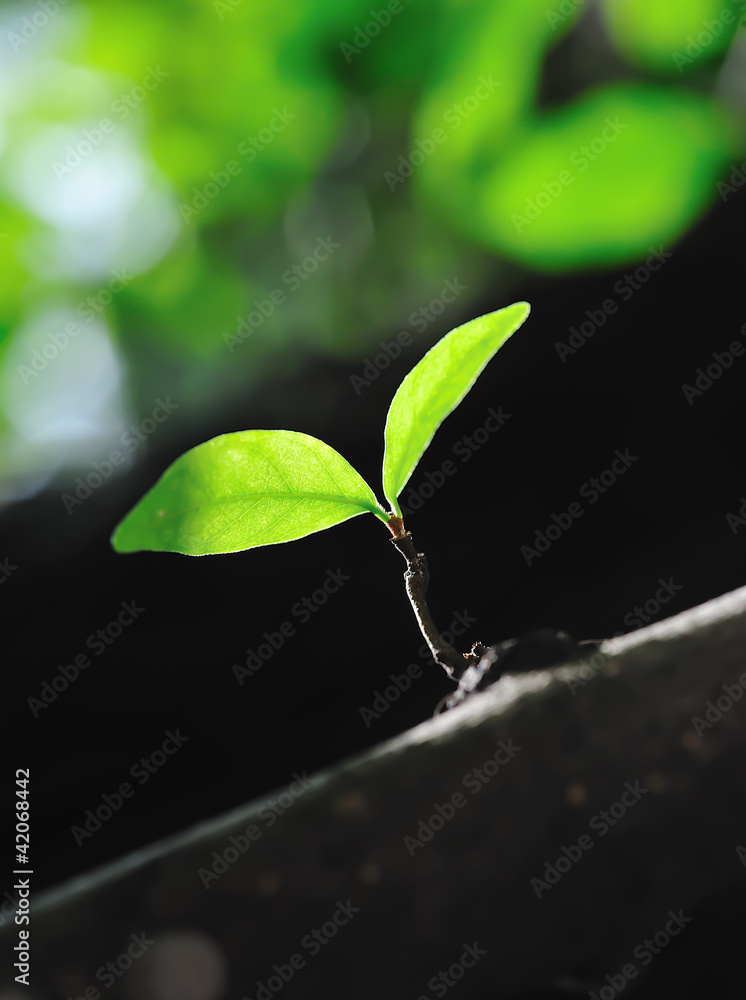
(251, 488)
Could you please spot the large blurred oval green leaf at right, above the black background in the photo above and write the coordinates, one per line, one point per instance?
(600, 181)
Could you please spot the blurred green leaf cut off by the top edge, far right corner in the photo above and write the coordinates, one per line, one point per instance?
(672, 37)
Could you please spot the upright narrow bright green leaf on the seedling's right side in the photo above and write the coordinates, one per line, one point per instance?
(435, 387)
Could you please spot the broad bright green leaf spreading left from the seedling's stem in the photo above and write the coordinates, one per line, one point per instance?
(241, 490)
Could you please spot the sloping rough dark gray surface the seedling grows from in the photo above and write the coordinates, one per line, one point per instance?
(581, 744)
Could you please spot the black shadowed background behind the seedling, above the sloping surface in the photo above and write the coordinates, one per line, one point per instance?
(173, 667)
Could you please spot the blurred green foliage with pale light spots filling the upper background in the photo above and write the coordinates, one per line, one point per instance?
(199, 150)
